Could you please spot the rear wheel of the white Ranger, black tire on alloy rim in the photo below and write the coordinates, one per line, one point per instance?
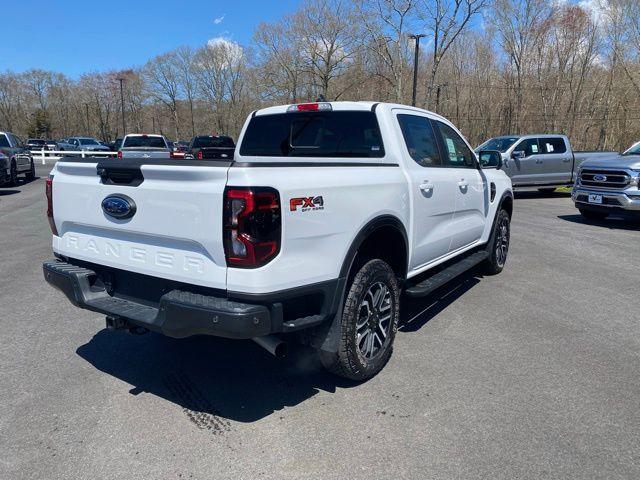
(368, 324)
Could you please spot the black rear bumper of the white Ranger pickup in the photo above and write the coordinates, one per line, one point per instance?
(181, 313)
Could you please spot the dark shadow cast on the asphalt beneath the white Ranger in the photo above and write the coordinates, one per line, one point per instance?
(215, 380)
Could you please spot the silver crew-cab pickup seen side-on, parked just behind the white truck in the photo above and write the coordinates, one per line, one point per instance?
(540, 161)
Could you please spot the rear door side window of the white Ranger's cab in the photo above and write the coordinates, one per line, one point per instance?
(420, 140)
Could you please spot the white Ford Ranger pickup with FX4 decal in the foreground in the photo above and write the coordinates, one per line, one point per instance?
(325, 215)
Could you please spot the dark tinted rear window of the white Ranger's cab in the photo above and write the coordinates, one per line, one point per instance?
(313, 134)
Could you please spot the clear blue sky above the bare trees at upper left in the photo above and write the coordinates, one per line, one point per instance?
(74, 37)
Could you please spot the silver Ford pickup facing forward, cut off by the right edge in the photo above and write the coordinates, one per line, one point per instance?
(609, 186)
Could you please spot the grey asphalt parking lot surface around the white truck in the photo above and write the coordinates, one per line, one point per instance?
(529, 374)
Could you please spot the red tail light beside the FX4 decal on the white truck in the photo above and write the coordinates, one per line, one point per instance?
(252, 226)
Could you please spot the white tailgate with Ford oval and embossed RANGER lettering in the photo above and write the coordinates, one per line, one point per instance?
(175, 233)
